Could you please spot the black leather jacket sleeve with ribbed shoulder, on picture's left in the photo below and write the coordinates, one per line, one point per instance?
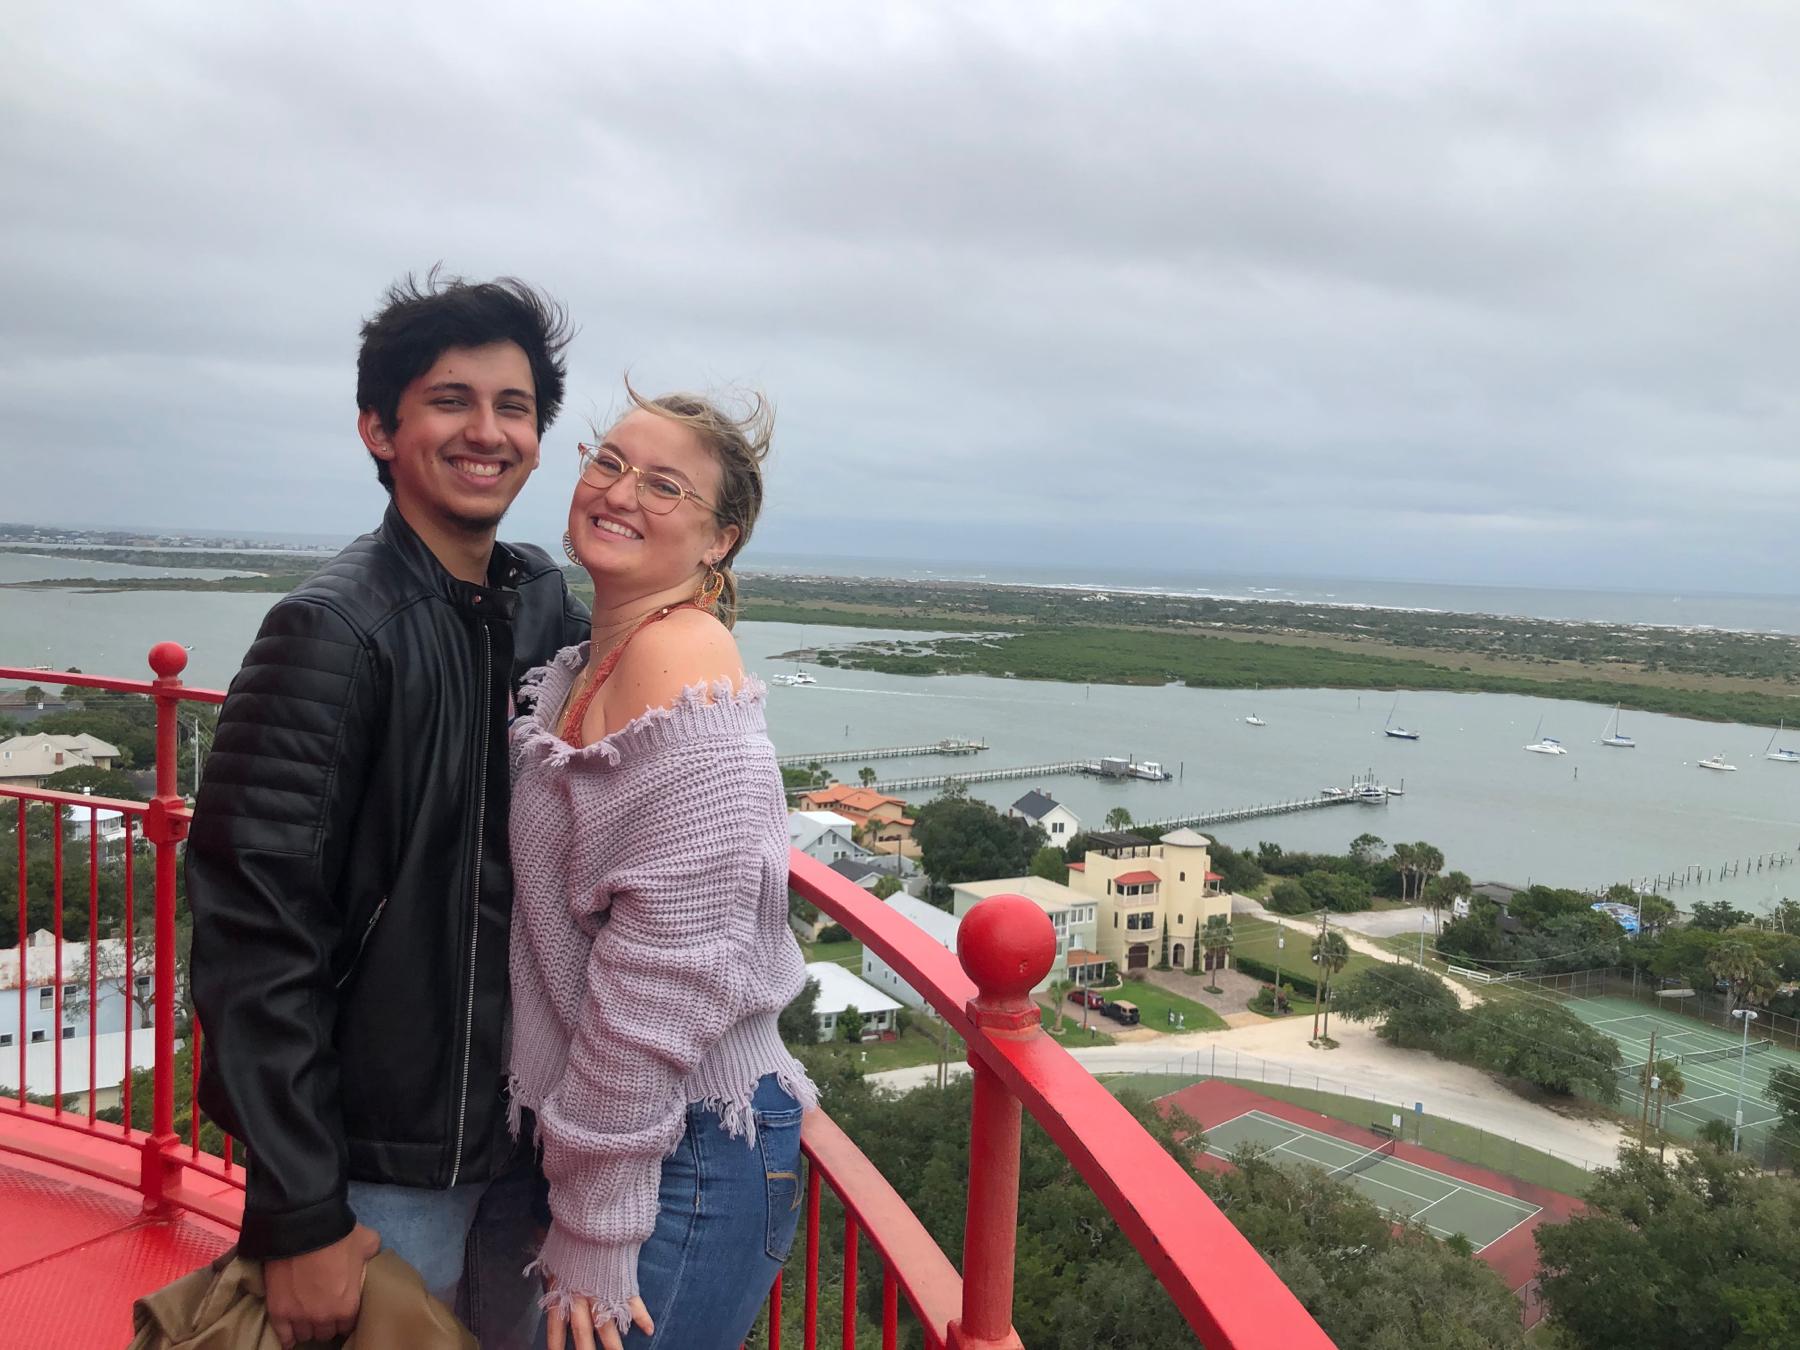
(282, 789)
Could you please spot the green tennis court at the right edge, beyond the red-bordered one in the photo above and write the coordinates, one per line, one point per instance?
(1709, 1063)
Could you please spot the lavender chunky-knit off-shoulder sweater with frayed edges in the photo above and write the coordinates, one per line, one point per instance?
(651, 955)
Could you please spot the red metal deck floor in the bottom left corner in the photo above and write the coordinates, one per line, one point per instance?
(76, 1252)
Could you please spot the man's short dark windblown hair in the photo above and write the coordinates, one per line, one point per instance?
(420, 321)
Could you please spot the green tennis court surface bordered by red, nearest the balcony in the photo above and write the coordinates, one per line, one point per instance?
(1441, 1203)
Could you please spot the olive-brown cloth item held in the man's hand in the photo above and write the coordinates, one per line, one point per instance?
(220, 1308)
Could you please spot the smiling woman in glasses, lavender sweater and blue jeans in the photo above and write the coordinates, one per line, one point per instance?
(651, 946)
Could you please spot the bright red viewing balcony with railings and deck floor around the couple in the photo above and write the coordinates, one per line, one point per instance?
(105, 1205)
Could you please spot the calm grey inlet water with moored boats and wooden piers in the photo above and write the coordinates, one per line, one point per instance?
(1592, 818)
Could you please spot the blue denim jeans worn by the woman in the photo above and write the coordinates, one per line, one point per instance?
(726, 1219)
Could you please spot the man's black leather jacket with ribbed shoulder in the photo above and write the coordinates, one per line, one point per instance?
(350, 879)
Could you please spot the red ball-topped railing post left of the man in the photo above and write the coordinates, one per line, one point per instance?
(165, 825)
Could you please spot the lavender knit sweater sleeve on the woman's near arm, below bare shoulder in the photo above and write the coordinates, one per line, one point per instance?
(685, 854)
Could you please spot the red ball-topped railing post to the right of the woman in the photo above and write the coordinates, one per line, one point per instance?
(1007, 946)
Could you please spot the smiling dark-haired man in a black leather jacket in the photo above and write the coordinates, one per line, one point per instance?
(348, 865)
